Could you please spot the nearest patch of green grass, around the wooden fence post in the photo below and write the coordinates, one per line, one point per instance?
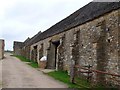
(79, 82)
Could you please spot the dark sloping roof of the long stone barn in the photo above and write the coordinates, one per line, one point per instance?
(81, 16)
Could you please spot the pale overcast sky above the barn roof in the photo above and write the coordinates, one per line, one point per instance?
(20, 19)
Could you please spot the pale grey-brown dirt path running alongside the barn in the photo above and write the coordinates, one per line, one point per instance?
(16, 74)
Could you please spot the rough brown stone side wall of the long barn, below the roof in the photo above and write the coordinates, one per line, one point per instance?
(95, 43)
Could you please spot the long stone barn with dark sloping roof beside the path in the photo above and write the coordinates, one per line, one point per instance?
(88, 37)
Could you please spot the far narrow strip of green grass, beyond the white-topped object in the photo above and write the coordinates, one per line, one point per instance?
(31, 62)
